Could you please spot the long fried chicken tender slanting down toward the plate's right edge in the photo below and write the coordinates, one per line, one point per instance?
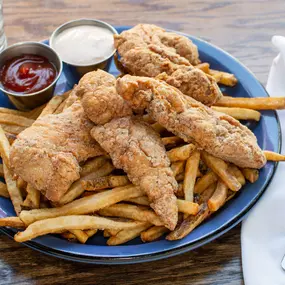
(216, 133)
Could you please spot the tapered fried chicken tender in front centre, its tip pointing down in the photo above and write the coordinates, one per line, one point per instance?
(137, 149)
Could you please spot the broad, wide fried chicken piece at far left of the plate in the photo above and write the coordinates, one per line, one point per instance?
(47, 154)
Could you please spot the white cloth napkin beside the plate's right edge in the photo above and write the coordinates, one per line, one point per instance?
(263, 232)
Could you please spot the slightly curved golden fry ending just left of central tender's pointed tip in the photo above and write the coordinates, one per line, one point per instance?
(133, 212)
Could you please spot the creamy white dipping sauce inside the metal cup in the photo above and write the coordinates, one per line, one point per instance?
(84, 45)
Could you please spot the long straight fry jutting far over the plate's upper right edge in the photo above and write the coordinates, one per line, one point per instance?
(267, 103)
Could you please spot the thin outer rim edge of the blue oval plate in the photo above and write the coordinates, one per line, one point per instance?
(178, 250)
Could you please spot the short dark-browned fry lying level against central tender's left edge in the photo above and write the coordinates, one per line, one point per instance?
(105, 182)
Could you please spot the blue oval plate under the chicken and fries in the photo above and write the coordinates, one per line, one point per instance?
(267, 132)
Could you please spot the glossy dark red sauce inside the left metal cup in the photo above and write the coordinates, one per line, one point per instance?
(27, 73)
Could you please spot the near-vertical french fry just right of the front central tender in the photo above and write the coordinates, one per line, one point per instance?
(191, 168)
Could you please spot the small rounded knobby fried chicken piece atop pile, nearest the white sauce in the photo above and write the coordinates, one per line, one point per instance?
(99, 97)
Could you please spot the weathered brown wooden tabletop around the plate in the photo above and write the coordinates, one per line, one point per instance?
(243, 28)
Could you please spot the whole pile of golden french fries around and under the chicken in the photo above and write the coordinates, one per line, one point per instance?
(103, 199)
